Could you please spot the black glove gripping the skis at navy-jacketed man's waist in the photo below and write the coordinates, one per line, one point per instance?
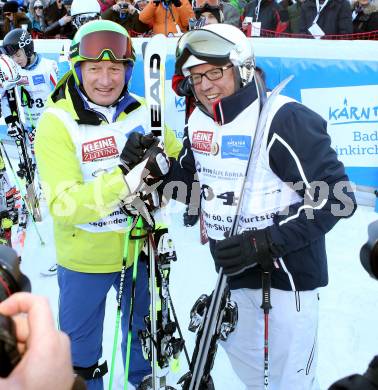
(241, 252)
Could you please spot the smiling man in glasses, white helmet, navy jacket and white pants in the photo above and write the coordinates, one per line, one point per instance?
(295, 192)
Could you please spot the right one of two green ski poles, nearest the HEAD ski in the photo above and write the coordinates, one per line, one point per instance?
(138, 237)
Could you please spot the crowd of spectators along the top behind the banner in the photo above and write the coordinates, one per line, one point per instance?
(275, 18)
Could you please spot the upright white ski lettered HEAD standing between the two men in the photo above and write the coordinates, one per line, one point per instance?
(159, 344)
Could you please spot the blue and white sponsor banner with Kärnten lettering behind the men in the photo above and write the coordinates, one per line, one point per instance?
(337, 79)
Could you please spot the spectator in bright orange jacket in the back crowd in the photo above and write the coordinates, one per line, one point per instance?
(168, 17)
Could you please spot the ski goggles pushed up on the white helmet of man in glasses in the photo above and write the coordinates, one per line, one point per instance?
(205, 45)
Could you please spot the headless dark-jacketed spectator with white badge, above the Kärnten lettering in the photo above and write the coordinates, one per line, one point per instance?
(334, 17)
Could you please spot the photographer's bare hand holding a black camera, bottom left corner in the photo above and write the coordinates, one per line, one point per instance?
(34, 355)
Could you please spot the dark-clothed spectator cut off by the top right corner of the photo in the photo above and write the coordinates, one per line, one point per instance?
(365, 16)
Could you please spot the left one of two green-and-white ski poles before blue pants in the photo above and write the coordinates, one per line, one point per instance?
(119, 300)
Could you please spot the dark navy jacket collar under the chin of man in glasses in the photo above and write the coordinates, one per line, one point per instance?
(227, 109)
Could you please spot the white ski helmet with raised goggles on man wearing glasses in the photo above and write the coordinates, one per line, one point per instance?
(216, 44)
